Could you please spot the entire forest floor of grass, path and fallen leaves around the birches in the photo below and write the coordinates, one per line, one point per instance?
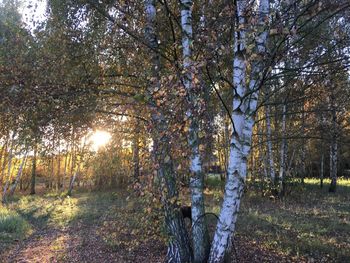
(309, 225)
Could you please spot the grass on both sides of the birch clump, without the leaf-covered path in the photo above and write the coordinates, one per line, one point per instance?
(308, 224)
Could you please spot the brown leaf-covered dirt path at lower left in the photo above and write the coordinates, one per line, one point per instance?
(79, 243)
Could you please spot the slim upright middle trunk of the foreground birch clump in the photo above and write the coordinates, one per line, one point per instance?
(199, 230)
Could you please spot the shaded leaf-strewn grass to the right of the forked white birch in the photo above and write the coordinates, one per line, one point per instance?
(309, 223)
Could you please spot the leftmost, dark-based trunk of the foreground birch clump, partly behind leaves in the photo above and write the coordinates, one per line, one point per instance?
(178, 248)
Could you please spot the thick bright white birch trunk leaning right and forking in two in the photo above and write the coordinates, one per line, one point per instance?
(243, 118)
